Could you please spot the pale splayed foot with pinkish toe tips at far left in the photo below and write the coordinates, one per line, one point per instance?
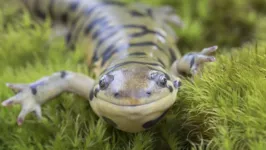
(26, 98)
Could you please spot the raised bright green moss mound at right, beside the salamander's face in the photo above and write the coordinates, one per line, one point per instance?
(225, 108)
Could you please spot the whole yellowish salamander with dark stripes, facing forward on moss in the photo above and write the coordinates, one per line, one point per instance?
(132, 47)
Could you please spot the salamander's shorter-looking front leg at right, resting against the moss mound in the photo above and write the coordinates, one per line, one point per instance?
(192, 63)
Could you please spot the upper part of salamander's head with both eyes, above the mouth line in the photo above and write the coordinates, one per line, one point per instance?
(135, 85)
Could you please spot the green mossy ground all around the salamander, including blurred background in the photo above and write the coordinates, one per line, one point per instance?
(225, 109)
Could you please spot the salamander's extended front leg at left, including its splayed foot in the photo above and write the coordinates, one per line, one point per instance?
(32, 96)
